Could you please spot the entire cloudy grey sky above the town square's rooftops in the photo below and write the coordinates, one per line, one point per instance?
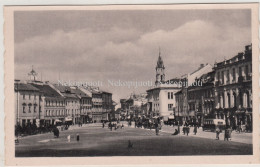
(108, 46)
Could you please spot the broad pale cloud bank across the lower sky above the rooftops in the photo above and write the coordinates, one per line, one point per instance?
(128, 54)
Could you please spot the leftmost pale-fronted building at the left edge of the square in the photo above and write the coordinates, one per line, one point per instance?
(28, 104)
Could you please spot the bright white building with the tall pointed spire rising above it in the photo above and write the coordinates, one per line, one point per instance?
(161, 99)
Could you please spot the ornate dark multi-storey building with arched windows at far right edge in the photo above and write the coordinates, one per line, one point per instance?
(233, 89)
